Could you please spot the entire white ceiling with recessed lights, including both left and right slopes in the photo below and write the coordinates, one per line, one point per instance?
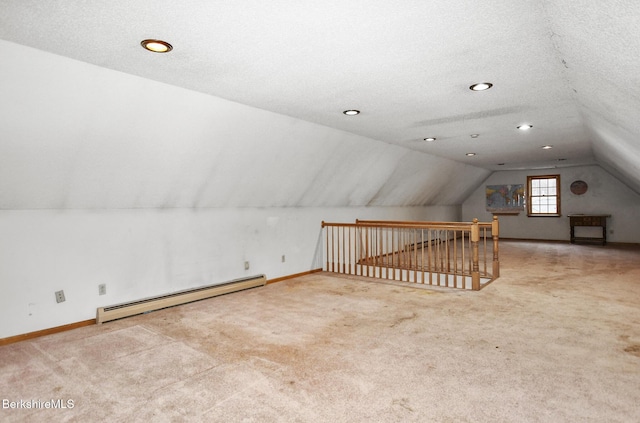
(247, 108)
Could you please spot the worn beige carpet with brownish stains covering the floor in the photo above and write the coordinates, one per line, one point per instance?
(555, 339)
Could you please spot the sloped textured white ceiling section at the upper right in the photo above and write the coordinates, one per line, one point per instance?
(593, 41)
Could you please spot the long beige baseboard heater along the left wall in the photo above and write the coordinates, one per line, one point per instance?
(119, 311)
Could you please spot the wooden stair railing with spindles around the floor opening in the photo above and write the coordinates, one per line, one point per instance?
(450, 254)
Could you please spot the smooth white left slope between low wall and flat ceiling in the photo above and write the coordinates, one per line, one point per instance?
(77, 136)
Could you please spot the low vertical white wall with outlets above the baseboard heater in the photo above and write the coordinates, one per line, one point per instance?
(146, 252)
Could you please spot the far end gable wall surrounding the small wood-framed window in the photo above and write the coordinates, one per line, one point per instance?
(606, 195)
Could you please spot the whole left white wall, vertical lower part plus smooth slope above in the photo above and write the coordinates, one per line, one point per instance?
(149, 188)
